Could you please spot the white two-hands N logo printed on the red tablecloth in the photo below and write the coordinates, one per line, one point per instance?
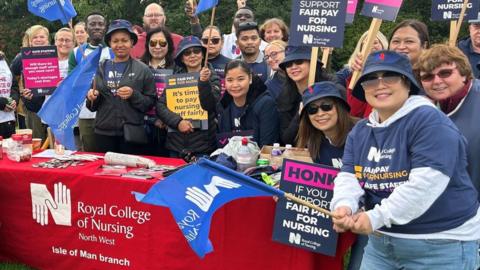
(60, 205)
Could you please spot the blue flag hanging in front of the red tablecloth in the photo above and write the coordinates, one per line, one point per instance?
(195, 192)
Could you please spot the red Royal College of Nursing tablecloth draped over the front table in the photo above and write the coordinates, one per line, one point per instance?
(72, 218)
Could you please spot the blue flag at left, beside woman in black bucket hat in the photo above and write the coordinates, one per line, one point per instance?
(61, 111)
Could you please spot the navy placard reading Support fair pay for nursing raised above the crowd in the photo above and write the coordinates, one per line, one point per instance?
(318, 23)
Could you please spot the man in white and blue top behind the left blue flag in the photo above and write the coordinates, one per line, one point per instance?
(96, 25)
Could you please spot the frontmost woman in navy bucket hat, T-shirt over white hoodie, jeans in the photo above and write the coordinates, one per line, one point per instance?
(408, 163)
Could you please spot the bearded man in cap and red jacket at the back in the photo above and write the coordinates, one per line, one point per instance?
(154, 17)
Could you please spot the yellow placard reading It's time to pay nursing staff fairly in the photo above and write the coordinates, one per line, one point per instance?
(182, 96)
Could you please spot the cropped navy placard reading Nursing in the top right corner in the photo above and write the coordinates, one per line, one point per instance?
(447, 10)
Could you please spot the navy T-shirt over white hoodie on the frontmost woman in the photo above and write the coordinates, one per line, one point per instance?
(411, 171)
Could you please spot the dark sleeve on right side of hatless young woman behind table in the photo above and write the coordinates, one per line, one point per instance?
(269, 122)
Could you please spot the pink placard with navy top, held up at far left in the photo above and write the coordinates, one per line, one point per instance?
(41, 72)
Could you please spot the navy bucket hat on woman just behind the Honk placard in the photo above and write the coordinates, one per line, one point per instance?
(322, 90)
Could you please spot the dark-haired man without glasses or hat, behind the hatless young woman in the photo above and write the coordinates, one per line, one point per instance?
(248, 40)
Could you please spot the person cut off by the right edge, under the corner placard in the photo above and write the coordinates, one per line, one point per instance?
(471, 46)
